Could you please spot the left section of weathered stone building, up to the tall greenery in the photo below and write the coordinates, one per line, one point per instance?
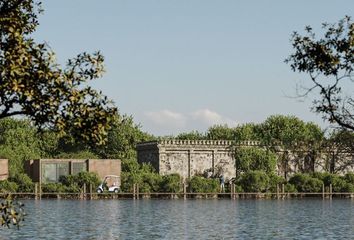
(187, 157)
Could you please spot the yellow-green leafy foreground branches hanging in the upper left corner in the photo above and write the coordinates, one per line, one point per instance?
(33, 84)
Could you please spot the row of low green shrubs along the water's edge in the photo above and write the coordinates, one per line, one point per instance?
(252, 181)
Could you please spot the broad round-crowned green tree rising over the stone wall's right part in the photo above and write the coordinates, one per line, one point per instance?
(296, 140)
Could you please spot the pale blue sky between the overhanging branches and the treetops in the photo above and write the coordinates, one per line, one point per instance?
(182, 65)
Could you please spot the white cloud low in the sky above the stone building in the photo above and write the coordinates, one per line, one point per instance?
(166, 122)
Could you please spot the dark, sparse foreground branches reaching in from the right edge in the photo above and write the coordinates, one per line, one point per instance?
(329, 61)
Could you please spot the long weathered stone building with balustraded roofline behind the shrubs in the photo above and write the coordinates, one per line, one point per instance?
(191, 157)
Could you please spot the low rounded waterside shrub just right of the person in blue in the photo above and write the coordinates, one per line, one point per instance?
(254, 181)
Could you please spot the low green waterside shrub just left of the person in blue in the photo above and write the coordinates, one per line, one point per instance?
(199, 184)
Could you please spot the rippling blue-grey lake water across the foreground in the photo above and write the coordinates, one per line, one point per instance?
(186, 219)
